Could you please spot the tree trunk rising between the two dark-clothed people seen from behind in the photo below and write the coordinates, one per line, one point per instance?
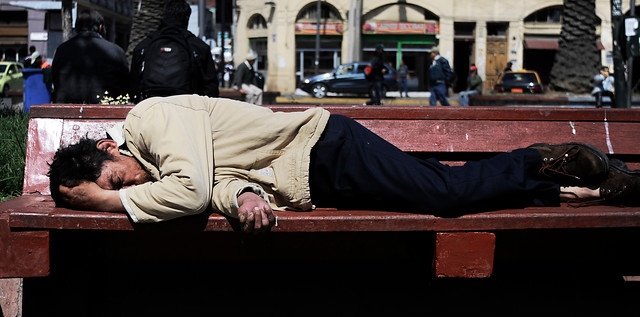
(147, 15)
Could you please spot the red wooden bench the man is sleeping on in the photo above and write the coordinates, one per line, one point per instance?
(463, 247)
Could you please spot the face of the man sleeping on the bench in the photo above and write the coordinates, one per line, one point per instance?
(122, 172)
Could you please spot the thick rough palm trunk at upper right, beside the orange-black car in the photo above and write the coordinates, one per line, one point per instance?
(578, 58)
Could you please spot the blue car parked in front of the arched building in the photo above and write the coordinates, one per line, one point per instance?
(347, 78)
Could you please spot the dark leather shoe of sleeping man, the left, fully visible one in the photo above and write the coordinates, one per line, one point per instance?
(576, 164)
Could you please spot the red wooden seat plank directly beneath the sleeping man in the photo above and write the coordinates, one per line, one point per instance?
(38, 211)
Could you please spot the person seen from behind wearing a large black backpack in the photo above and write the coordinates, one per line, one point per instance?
(173, 61)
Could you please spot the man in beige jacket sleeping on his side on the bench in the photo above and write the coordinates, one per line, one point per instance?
(182, 155)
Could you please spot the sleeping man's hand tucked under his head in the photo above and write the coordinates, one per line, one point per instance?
(89, 196)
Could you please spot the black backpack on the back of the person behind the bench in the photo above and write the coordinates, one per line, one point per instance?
(168, 64)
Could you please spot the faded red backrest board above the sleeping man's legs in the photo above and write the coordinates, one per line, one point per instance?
(500, 136)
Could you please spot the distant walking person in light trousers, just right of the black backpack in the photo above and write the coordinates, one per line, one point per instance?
(247, 81)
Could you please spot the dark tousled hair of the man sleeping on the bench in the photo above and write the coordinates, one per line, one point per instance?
(74, 164)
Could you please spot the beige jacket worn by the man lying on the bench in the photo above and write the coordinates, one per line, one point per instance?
(205, 151)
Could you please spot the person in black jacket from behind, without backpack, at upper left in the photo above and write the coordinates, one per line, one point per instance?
(88, 68)
